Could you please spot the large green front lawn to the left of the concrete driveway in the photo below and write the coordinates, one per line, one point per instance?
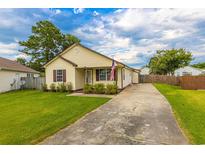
(27, 117)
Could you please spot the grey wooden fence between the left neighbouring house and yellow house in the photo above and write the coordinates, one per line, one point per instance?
(34, 83)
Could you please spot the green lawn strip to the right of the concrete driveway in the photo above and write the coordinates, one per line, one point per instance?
(189, 108)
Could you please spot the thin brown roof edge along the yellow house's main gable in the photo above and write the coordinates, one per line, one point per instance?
(78, 44)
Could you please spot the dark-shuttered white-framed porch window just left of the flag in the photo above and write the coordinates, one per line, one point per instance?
(103, 74)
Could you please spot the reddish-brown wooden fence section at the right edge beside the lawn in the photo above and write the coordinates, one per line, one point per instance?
(192, 82)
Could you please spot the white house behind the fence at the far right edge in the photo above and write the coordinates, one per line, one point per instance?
(188, 70)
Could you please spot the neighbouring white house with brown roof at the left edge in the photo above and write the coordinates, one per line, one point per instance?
(11, 73)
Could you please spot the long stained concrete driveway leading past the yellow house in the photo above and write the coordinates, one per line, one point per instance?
(138, 115)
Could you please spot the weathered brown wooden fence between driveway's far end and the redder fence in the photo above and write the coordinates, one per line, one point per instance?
(159, 79)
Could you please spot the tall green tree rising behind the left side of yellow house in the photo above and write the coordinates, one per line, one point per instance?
(45, 42)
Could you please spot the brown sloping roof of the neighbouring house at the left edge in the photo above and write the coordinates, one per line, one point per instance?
(6, 64)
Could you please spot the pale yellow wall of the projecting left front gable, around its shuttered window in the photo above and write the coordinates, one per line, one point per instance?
(60, 64)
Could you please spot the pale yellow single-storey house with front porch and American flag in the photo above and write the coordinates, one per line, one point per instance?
(79, 65)
